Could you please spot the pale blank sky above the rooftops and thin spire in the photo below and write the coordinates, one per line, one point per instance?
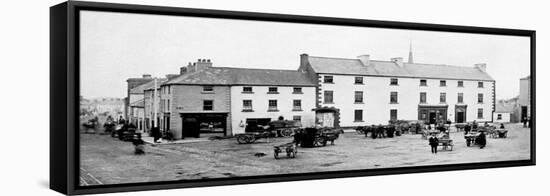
(117, 46)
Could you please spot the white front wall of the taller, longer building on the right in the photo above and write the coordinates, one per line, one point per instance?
(376, 98)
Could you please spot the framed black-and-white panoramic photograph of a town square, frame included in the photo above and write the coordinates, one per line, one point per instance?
(148, 97)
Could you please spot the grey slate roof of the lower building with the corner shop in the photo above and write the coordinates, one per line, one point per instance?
(244, 76)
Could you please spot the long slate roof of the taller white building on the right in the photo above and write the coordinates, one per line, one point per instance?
(391, 69)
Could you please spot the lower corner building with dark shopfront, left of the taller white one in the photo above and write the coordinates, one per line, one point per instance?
(208, 100)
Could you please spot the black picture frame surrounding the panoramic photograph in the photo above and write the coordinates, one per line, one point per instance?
(64, 95)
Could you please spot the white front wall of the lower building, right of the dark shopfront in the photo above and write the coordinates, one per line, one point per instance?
(260, 105)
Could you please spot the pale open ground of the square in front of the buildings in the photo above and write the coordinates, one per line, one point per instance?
(109, 161)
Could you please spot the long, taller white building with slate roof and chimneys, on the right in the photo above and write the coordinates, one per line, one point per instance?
(361, 91)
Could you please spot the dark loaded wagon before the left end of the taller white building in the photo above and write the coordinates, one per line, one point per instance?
(312, 137)
